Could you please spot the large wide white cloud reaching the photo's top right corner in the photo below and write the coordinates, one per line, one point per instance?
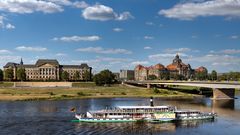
(193, 9)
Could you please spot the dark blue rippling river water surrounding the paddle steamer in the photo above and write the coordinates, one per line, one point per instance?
(54, 117)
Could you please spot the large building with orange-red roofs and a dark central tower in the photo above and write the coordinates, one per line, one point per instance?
(176, 68)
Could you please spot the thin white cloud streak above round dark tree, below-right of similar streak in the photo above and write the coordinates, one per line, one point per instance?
(104, 51)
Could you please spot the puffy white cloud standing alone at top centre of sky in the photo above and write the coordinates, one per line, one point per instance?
(104, 13)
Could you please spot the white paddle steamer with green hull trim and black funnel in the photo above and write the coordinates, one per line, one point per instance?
(141, 113)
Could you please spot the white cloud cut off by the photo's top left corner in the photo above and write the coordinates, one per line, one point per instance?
(29, 6)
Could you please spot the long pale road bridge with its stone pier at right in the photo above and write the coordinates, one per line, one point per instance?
(221, 90)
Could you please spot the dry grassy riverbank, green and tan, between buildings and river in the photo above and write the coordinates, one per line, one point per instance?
(84, 90)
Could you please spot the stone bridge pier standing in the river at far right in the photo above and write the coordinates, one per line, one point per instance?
(223, 93)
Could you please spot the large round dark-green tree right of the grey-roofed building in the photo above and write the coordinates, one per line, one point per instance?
(105, 77)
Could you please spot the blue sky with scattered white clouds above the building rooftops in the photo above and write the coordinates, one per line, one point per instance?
(119, 34)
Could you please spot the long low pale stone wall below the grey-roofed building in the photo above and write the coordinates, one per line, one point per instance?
(42, 84)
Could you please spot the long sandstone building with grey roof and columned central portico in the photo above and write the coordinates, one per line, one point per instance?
(48, 69)
